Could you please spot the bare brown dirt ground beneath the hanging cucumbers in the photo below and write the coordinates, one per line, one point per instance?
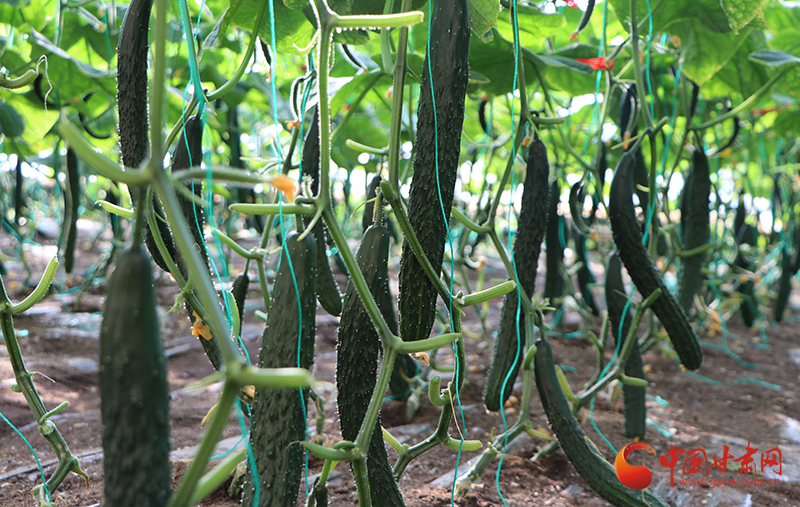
(59, 338)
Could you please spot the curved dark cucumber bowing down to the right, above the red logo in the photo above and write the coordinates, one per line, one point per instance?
(636, 259)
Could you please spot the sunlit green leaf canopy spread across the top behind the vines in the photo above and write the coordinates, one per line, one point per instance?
(729, 48)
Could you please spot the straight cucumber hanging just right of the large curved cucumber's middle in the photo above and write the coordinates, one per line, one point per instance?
(696, 231)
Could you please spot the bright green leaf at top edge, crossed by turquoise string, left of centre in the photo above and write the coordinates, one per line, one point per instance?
(292, 29)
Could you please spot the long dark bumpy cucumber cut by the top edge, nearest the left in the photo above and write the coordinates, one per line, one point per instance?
(132, 83)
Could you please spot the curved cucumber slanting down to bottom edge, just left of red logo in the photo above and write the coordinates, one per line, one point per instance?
(582, 453)
